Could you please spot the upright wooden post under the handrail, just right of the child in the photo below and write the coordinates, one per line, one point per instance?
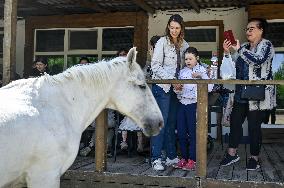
(202, 129)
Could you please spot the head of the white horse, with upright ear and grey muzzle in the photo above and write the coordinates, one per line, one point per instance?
(135, 99)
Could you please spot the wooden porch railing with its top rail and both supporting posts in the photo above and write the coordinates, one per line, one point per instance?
(202, 120)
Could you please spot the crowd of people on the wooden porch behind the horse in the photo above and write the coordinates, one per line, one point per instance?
(173, 58)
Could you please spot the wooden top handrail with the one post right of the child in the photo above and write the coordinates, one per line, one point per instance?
(202, 112)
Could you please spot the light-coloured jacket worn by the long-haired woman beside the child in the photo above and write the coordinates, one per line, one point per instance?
(164, 61)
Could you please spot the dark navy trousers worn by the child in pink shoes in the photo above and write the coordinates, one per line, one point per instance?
(186, 128)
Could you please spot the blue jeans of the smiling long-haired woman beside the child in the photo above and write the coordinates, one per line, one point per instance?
(166, 139)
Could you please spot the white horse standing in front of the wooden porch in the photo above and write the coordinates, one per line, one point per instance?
(42, 119)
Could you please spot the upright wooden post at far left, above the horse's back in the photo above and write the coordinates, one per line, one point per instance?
(9, 41)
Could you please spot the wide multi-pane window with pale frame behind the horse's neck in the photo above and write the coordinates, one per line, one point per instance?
(64, 46)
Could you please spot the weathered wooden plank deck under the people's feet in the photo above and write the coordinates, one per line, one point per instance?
(136, 172)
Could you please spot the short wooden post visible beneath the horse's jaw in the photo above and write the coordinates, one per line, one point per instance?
(101, 141)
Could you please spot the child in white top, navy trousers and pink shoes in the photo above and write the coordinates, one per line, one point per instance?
(186, 114)
